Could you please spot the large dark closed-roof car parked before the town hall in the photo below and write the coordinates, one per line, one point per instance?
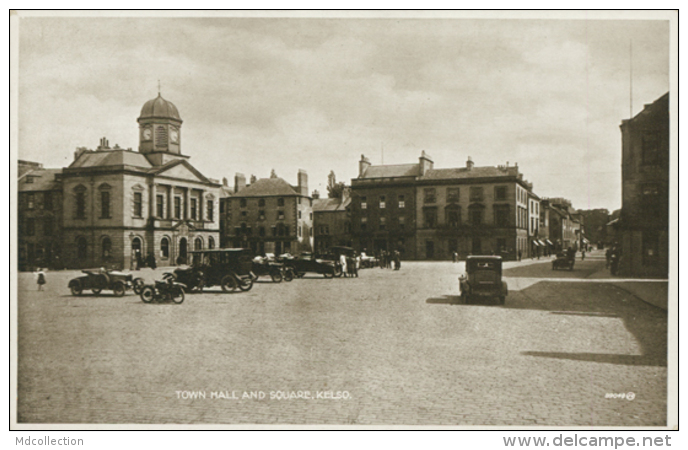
(229, 268)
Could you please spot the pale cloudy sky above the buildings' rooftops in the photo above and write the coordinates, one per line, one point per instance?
(257, 94)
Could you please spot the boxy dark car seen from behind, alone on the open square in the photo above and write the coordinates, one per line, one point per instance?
(483, 278)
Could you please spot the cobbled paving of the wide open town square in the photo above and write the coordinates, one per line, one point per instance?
(396, 342)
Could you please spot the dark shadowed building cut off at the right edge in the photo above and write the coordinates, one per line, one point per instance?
(644, 222)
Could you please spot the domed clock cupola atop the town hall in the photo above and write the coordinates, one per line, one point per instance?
(159, 130)
